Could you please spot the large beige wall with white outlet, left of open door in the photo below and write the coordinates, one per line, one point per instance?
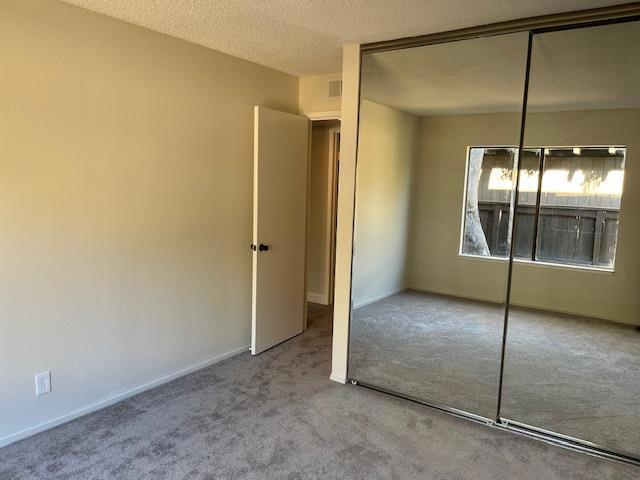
(125, 200)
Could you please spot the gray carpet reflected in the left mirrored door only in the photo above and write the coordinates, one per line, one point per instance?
(431, 347)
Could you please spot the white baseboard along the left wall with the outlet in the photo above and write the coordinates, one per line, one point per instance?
(41, 427)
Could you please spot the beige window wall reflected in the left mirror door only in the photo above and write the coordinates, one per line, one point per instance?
(438, 187)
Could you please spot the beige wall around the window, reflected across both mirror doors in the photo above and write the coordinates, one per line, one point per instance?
(438, 196)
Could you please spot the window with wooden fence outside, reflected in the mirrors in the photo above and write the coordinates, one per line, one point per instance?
(570, 218)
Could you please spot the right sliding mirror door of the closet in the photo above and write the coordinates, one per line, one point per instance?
(572, 357)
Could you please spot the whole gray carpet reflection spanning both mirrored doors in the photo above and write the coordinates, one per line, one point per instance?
(575, 376)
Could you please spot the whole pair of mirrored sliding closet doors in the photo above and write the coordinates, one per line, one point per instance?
(496, 267)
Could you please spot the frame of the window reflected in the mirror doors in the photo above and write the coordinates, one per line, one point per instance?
(512, 211)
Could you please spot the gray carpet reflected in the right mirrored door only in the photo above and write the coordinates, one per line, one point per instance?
(576, 376)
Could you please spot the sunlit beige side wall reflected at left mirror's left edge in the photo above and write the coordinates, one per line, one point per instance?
(386, 150)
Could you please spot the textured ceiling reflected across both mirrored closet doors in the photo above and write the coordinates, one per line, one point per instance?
(589, 68)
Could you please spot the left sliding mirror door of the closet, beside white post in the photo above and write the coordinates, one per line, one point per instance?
(438, 135)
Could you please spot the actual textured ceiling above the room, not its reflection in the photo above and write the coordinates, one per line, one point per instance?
(304, 37)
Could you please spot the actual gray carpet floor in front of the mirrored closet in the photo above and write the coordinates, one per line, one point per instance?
(277, 416)
